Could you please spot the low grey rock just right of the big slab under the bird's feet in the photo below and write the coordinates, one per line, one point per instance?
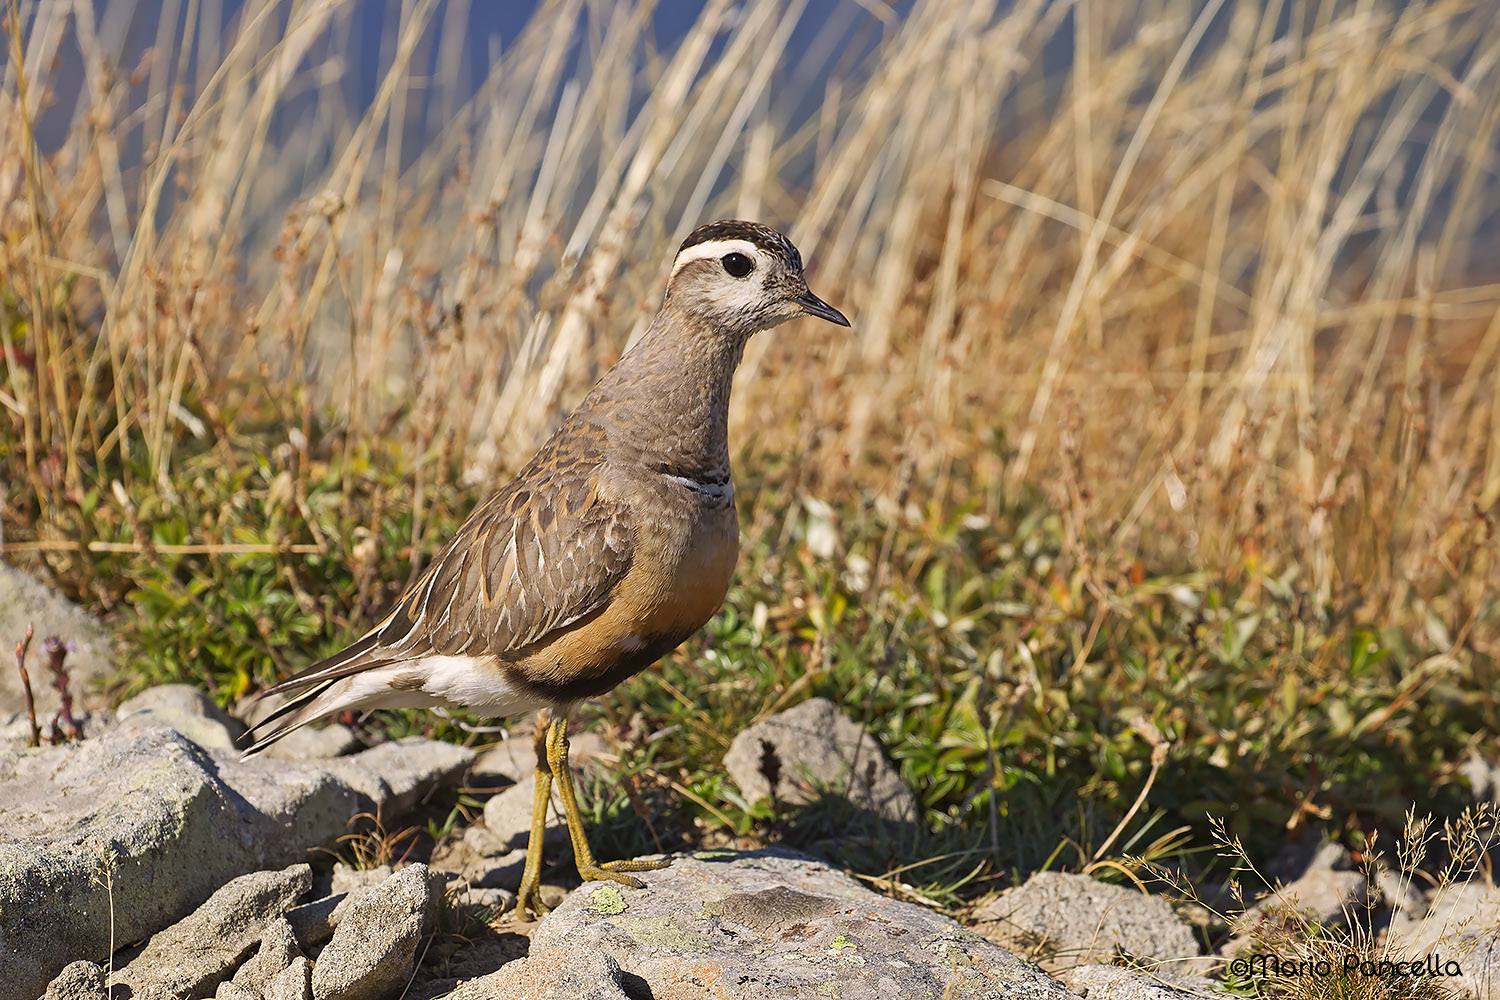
(1076, 920)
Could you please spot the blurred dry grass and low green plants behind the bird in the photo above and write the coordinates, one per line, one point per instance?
(1156, 485)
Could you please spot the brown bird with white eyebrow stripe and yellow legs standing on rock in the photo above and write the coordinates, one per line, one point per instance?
(605, 552)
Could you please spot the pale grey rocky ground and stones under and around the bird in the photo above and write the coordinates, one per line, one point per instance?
(151, 851)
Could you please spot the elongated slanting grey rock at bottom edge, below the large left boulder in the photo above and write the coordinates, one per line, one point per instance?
(190, 959)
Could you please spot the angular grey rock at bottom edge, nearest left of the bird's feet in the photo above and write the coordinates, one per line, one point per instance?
(376, 945)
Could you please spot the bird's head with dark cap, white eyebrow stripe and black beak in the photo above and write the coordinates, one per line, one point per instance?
(742, 278)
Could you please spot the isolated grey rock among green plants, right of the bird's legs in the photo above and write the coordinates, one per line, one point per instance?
(815, 749)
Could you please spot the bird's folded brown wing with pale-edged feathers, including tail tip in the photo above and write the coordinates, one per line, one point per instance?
(541, 555)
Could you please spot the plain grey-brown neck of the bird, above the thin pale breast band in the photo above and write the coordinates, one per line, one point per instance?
(668, 398)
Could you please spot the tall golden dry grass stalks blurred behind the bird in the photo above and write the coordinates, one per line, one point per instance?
(1225, 272)
